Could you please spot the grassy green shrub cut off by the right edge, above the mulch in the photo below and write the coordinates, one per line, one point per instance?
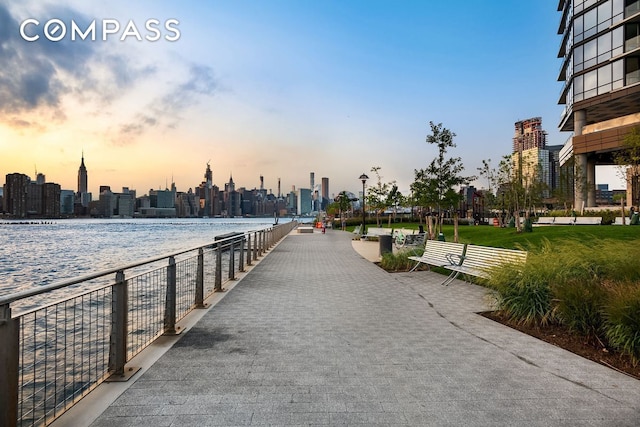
(622, 318)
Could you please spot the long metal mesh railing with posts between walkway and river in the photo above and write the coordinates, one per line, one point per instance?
(53, 354)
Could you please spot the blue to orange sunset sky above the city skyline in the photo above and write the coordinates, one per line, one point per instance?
(273, 88)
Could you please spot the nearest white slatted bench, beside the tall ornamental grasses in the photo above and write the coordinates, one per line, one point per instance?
(479, 260)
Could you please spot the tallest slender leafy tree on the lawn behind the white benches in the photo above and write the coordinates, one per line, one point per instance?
(434, 185)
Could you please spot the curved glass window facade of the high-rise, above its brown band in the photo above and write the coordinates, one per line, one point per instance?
(601, 48)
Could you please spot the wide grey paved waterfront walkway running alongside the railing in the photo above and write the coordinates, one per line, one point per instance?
(317, 335)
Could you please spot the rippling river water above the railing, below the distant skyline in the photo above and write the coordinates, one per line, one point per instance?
(41, 253)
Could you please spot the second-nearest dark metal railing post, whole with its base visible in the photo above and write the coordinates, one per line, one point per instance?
(119, 322)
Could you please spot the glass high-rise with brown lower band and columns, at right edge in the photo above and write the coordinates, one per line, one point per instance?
(601, 71)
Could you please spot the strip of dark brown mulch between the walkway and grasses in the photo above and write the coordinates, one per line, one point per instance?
(560, 336)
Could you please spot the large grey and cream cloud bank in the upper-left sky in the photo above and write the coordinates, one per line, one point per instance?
(37, 78)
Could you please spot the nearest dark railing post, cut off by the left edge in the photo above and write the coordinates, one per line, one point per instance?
(9, 363)
